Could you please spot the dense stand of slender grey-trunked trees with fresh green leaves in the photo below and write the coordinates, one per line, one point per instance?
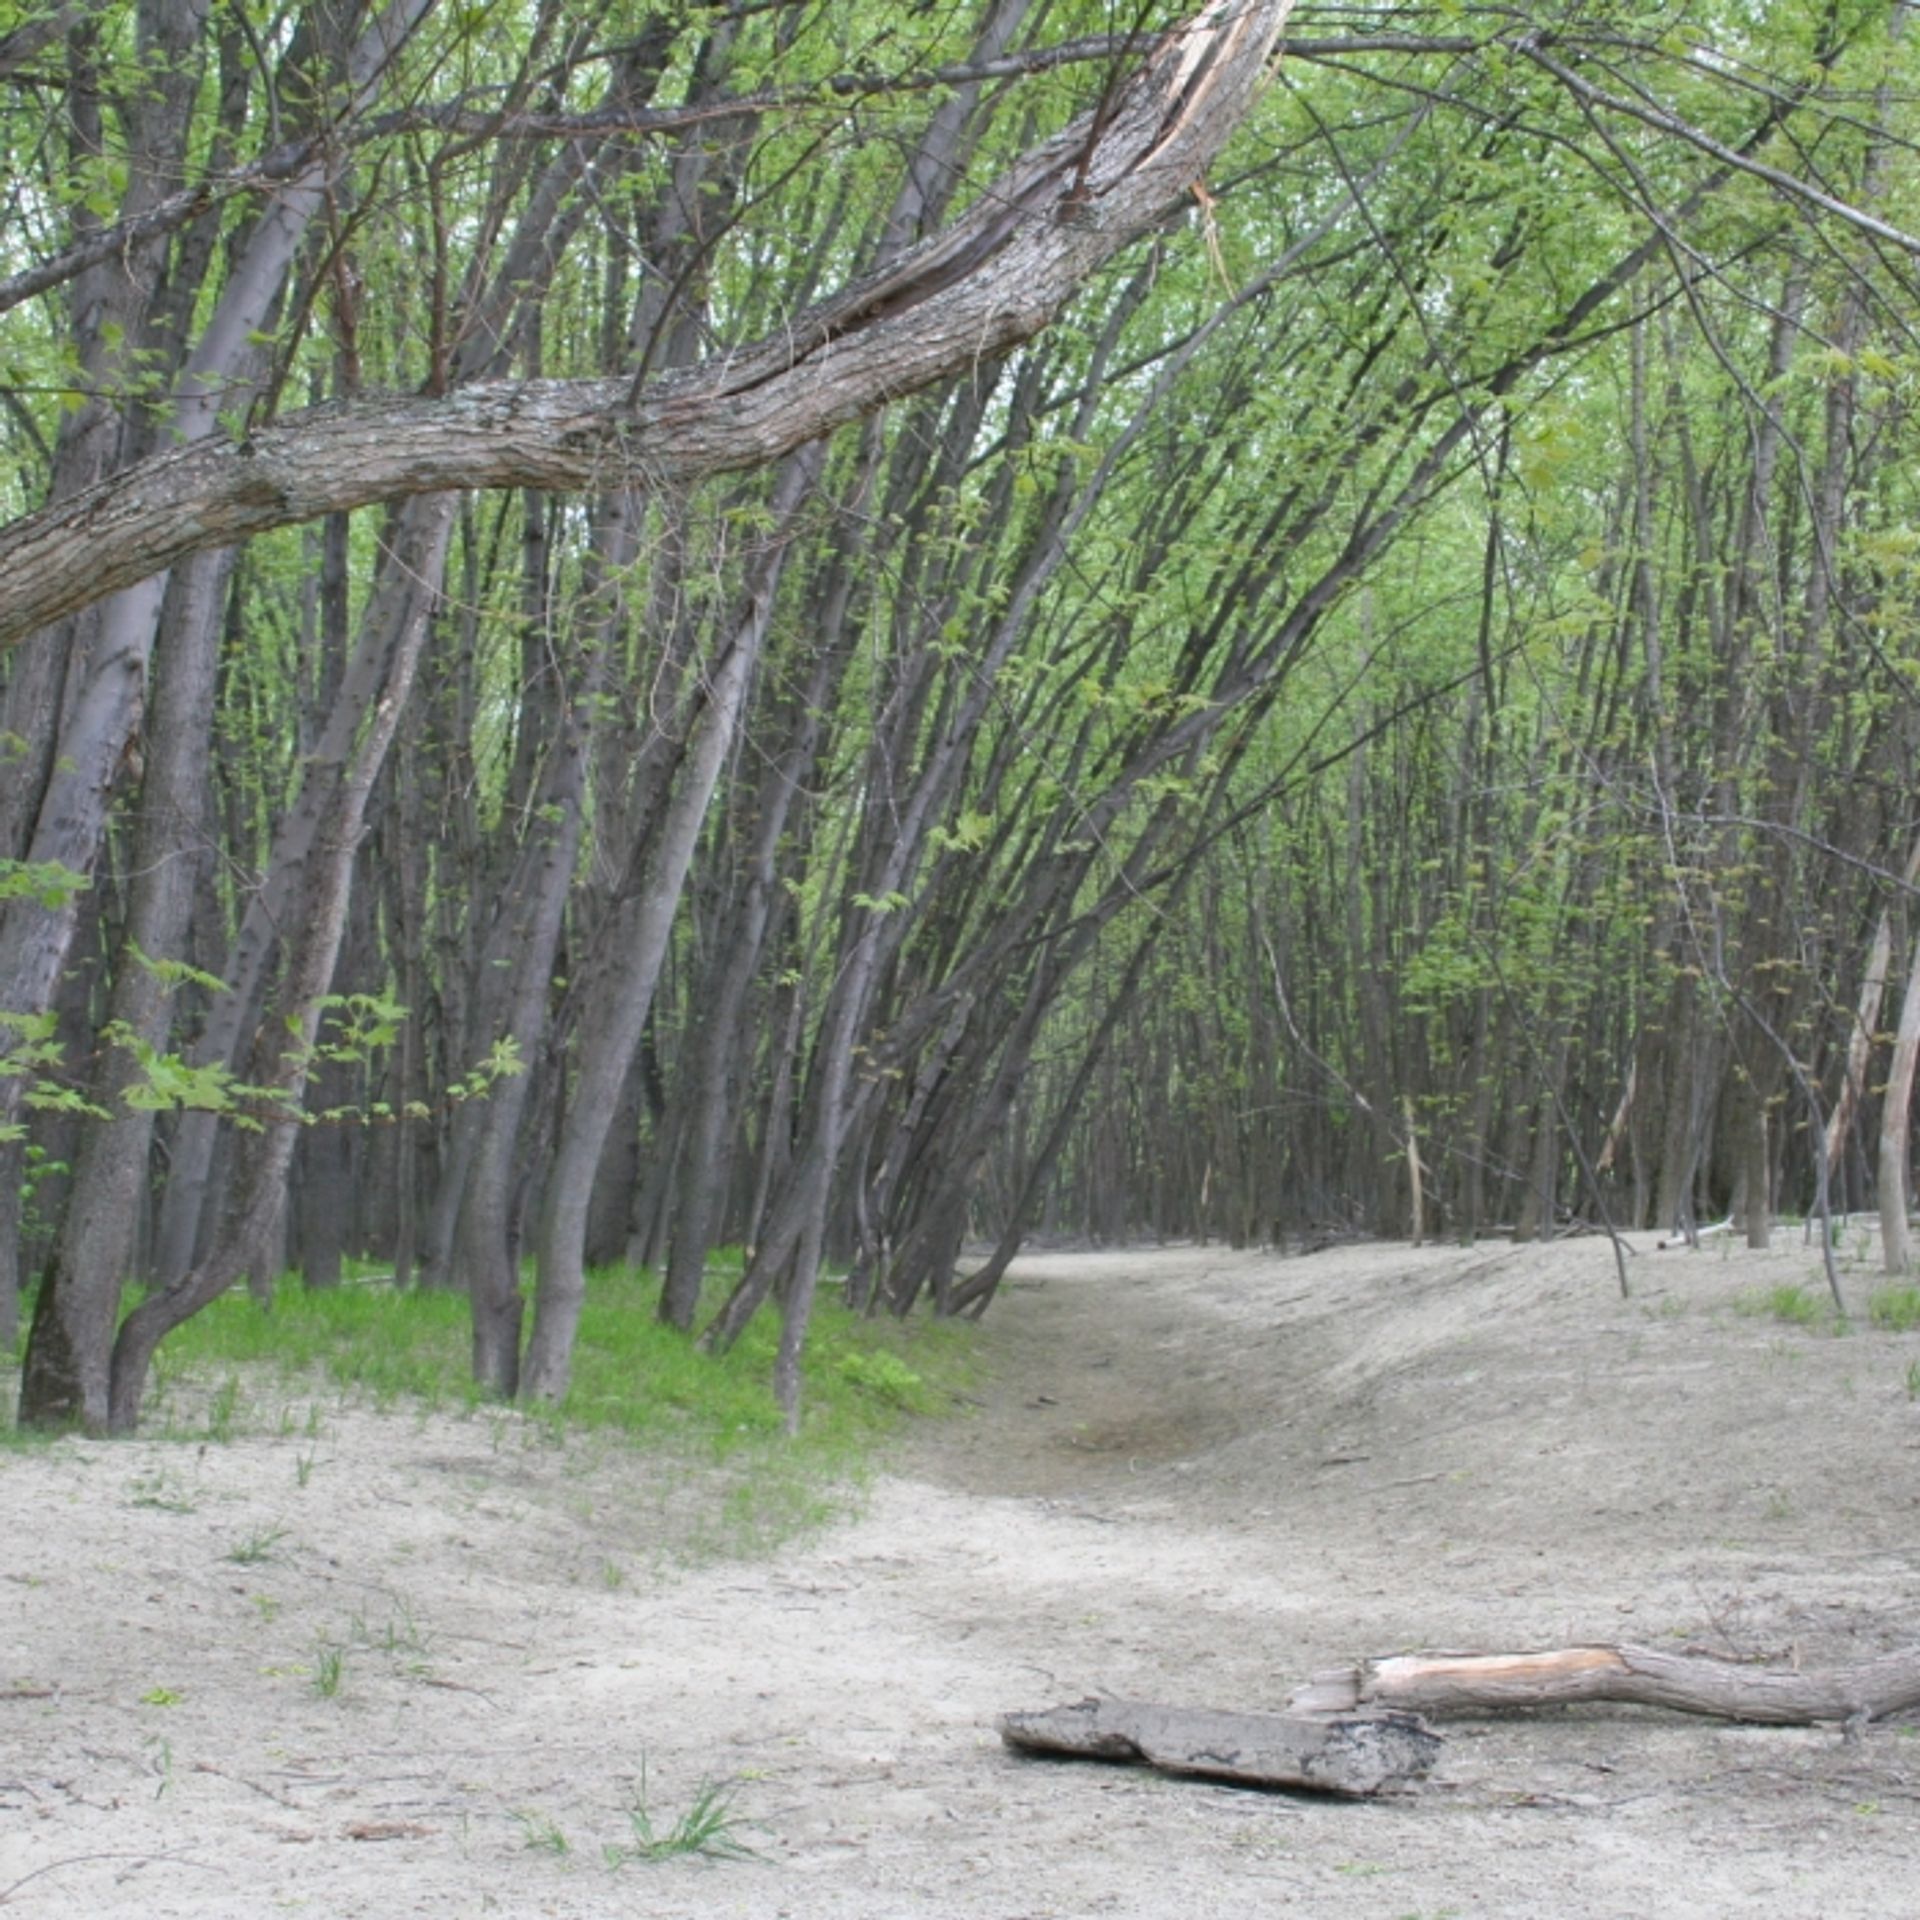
(882, 633)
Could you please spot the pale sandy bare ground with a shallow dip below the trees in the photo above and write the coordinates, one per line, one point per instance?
(1191, 1476)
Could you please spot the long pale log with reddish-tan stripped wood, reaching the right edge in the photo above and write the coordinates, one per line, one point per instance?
(1644, 1677)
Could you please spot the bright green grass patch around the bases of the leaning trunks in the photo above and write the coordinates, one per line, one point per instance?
(285, 1366)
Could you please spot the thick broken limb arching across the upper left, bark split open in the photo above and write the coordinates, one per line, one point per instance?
(996, 277)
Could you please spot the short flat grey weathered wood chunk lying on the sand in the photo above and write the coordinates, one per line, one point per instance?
(1355, 1754)
